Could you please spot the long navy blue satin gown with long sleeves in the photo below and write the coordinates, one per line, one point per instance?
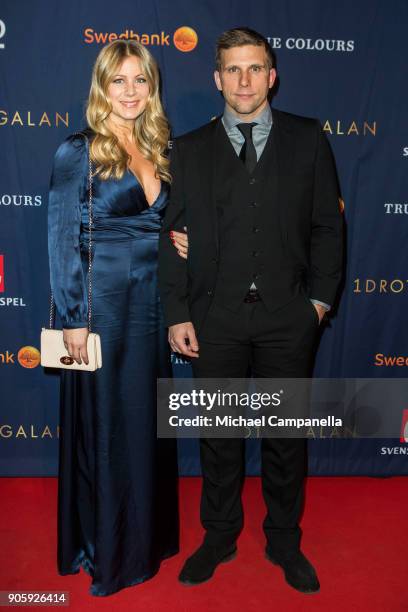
(117, 501)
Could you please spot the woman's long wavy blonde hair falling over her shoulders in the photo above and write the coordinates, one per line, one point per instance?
(151, 129)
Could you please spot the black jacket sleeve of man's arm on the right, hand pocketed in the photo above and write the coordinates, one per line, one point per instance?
(326, 251)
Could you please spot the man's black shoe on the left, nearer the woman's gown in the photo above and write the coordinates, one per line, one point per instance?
(202, 564)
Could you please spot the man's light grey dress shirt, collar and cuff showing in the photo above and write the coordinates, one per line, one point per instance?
(260, 132)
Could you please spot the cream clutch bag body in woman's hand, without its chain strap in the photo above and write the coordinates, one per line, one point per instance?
(55, 355)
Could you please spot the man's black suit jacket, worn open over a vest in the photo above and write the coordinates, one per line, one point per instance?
(309, 213)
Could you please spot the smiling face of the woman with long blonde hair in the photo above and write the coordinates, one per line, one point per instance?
(128, 91)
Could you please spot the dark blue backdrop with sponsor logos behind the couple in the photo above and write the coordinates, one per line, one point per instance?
(341, 62)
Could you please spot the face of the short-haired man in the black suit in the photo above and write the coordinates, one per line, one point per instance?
(245, 80)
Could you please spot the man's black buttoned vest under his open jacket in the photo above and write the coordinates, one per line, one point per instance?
(251, 245)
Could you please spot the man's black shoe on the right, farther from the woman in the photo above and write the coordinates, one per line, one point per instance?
(299, 572)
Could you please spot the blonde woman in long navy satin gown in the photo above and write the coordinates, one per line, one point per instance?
(117, 499)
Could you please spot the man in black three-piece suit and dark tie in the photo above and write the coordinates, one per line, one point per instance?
(258, 192)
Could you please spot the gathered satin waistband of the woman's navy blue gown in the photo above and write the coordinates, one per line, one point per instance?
(122, 228)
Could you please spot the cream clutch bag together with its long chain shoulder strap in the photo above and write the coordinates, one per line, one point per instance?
(53, 351)
